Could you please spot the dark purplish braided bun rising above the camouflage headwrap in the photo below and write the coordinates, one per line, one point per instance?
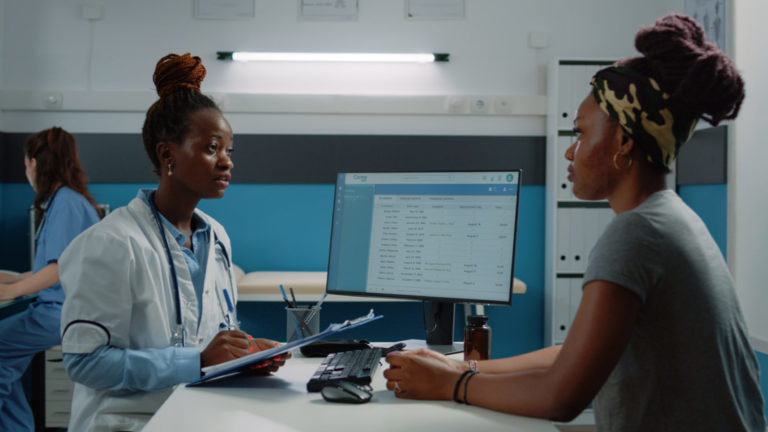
(699, 77)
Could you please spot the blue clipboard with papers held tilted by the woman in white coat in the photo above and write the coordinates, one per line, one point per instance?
(243, 363)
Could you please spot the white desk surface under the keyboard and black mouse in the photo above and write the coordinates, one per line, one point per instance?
(282, 403)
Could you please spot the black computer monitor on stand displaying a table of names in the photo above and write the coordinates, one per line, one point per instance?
(440, 237)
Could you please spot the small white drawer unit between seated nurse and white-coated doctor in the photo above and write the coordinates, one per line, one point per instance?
(58, 390)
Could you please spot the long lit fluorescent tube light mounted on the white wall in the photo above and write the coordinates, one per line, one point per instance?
(331, 57)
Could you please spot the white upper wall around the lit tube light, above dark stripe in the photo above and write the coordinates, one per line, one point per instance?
(49, 47)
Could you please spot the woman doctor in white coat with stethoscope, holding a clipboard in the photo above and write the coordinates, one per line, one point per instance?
(150, 289)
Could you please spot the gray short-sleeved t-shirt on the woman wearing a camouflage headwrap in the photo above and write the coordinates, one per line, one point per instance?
(688, 365)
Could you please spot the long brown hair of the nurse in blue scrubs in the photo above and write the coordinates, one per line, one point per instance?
(58, 164)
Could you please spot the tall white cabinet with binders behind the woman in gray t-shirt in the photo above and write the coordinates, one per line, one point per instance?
(572, 225)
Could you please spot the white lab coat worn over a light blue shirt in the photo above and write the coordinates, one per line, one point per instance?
(119, 292)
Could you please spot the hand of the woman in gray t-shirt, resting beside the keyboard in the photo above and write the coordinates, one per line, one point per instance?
(421, 374)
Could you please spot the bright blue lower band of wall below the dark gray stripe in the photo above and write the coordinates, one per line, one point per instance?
(287, 227)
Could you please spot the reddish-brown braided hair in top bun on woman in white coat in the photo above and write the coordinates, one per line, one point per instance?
(177, 79)
